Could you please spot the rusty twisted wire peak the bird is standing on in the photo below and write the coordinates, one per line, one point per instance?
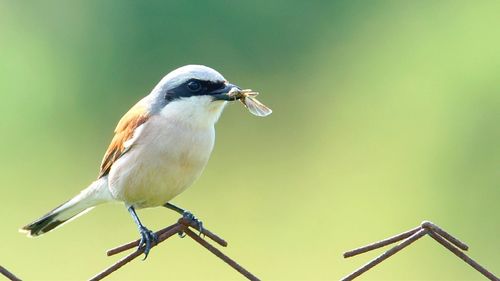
(182, 225)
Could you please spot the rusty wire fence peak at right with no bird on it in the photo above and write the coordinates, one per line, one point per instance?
(426, 227)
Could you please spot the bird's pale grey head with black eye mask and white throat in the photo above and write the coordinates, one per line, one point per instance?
(193, 92)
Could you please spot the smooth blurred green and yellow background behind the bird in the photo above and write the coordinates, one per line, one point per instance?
(386, 113)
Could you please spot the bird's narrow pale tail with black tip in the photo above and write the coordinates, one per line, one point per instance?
(93, 195)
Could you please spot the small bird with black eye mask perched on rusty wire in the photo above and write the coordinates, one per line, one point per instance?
(159, 148)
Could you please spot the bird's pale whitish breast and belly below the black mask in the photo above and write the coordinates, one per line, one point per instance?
(169, 154)
